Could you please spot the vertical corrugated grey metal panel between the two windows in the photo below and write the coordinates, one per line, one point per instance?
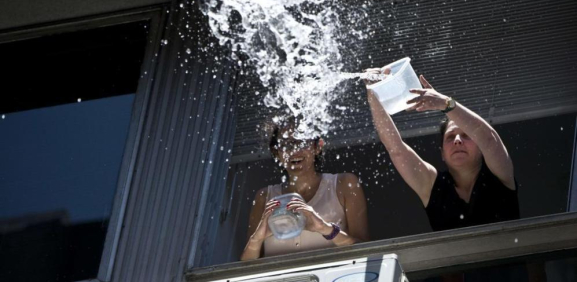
(186, 140)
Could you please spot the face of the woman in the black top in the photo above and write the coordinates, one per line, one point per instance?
(458, 148)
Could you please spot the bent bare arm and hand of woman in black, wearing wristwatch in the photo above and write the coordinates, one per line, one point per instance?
(494, 152)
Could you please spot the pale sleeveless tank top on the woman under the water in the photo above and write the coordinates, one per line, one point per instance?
(326, 203)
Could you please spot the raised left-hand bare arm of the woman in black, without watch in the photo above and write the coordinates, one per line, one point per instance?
(418, 174)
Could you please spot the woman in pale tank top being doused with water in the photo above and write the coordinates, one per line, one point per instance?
(334, 204)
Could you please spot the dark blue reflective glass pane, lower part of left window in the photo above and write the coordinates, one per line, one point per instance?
(58, 173)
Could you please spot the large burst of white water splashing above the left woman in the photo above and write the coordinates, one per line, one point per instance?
(294, 48)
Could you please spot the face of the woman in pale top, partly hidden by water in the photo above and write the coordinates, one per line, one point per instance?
(296, 156)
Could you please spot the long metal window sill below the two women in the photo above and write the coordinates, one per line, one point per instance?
(429, 252)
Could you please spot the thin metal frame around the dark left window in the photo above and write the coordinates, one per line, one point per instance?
(156, 15)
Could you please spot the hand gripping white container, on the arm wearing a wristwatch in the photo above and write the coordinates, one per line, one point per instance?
(429, 99)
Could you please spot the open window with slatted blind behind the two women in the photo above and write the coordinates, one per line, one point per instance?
(483, 54)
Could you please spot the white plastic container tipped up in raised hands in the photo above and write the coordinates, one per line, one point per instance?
(393, 92)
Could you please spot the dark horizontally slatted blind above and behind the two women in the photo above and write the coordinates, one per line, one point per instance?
(506, 60)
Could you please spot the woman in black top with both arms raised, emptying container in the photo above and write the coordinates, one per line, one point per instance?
(479, 186)
